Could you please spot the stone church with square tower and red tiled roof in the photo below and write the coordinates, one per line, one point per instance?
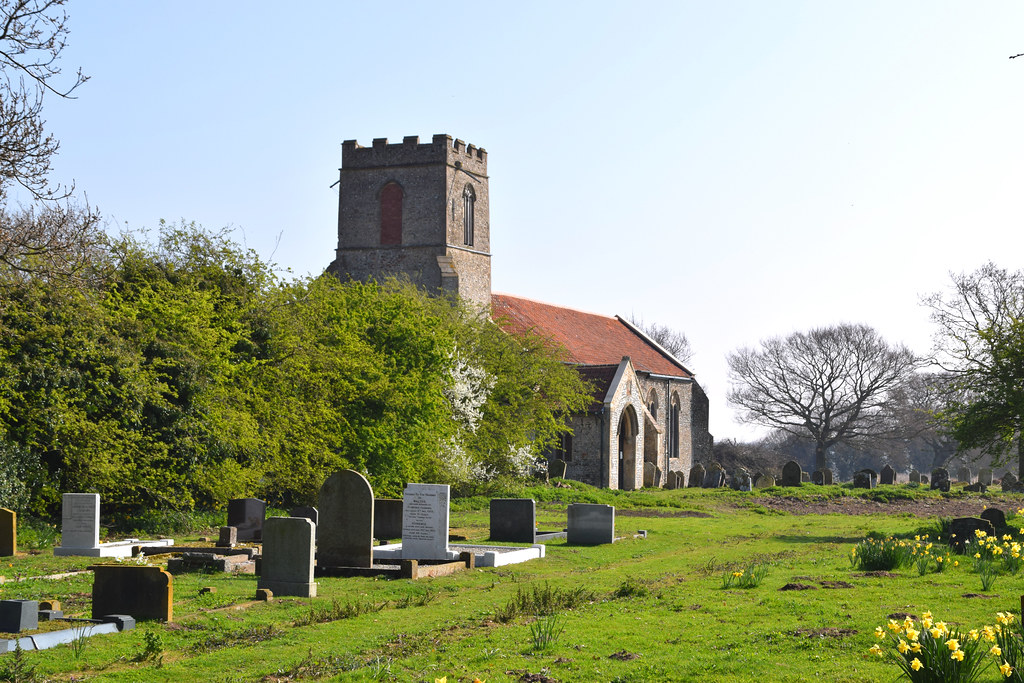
(421, 211)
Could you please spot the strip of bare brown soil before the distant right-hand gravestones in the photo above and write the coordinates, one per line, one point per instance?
(860, 506)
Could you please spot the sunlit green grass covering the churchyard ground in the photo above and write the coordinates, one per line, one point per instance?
(653, 610)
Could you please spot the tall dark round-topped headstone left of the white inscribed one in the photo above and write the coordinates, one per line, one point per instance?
(346, 536)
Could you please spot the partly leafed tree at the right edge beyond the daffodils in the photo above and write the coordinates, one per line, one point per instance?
(980, 343)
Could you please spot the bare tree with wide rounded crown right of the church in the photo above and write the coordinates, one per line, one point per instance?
(830, 385)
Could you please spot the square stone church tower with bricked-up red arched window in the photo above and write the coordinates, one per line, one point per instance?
(416, 210)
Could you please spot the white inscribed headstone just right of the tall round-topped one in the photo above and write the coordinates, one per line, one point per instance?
(425, 522)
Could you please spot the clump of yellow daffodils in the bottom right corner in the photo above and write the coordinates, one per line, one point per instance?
(930, 651)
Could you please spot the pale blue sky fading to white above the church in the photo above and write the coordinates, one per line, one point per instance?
(737, 170)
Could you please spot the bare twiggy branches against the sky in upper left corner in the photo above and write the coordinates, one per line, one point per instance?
(33, 34)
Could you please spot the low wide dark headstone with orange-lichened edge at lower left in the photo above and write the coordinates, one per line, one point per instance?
(144, 592)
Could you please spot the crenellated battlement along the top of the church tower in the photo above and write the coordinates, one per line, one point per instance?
(442, 149)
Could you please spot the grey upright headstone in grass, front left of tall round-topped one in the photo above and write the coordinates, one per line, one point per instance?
(289, 549)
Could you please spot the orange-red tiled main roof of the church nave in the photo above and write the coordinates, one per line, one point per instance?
(588, 338)
